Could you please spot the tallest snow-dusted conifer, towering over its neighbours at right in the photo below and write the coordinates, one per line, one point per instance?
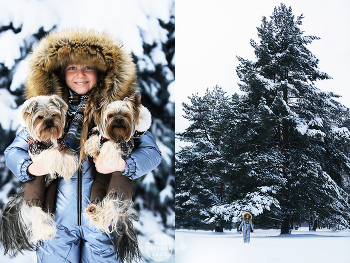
(300, 128)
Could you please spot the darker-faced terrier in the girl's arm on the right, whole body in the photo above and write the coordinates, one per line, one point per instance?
(118, 123)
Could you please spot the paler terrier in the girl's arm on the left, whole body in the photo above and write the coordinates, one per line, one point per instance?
(29, 213)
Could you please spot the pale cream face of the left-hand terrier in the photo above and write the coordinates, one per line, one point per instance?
(44, 117)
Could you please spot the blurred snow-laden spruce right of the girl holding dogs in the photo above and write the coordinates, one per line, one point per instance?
(156, 74)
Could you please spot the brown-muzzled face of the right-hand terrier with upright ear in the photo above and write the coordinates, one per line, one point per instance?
(117, 120)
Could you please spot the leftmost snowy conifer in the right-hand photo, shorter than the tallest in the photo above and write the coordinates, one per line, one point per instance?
(200, 166)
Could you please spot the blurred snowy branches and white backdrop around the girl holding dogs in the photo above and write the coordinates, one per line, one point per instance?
(147, 29)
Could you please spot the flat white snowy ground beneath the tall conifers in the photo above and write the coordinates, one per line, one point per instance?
(266, 246)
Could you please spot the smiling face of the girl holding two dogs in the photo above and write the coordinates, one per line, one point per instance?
(80, 78)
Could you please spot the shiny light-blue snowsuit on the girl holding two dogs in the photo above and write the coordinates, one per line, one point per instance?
(80, 243)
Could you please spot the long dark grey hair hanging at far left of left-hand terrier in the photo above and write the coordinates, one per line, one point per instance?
(13, 230)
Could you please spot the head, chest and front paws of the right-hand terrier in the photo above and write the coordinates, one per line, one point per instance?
(118, 123)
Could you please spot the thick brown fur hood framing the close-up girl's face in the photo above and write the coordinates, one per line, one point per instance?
(116, 70)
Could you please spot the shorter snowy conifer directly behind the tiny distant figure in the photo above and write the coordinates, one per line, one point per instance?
(245, 160)
